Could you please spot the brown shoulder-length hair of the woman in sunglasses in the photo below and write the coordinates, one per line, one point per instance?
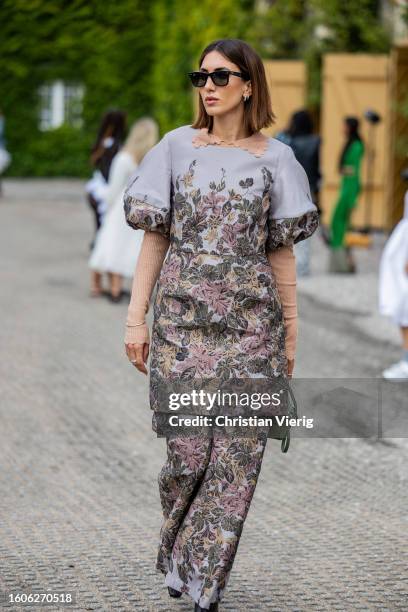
(258, 111)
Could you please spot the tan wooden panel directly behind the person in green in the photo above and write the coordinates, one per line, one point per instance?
(352, 84)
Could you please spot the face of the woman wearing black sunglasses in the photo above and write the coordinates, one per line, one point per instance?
(225, 98)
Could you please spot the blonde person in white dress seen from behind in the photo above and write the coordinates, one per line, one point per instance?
(117, 245)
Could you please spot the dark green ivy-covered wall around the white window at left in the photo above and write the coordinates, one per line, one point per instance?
(102, 45)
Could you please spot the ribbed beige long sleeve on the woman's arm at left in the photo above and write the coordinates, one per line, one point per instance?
(149, 263)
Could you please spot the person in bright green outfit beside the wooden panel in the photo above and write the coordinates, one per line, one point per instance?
(349, 168)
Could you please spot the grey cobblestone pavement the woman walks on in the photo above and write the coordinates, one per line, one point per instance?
(79, 499)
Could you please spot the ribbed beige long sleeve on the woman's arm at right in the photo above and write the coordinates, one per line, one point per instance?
(283, 264)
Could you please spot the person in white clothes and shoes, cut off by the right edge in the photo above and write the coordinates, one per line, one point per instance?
(393, 287)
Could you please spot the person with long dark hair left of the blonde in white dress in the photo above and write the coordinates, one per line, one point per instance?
(108, 142)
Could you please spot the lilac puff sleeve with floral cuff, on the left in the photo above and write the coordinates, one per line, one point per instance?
(147, 197)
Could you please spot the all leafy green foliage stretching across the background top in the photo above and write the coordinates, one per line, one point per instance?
(135, 55)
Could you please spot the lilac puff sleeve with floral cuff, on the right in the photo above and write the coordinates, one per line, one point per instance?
(292, 215)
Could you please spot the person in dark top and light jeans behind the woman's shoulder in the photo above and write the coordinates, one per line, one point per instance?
(306, 147)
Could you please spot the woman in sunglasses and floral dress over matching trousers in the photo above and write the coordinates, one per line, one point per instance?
(221, 205)
